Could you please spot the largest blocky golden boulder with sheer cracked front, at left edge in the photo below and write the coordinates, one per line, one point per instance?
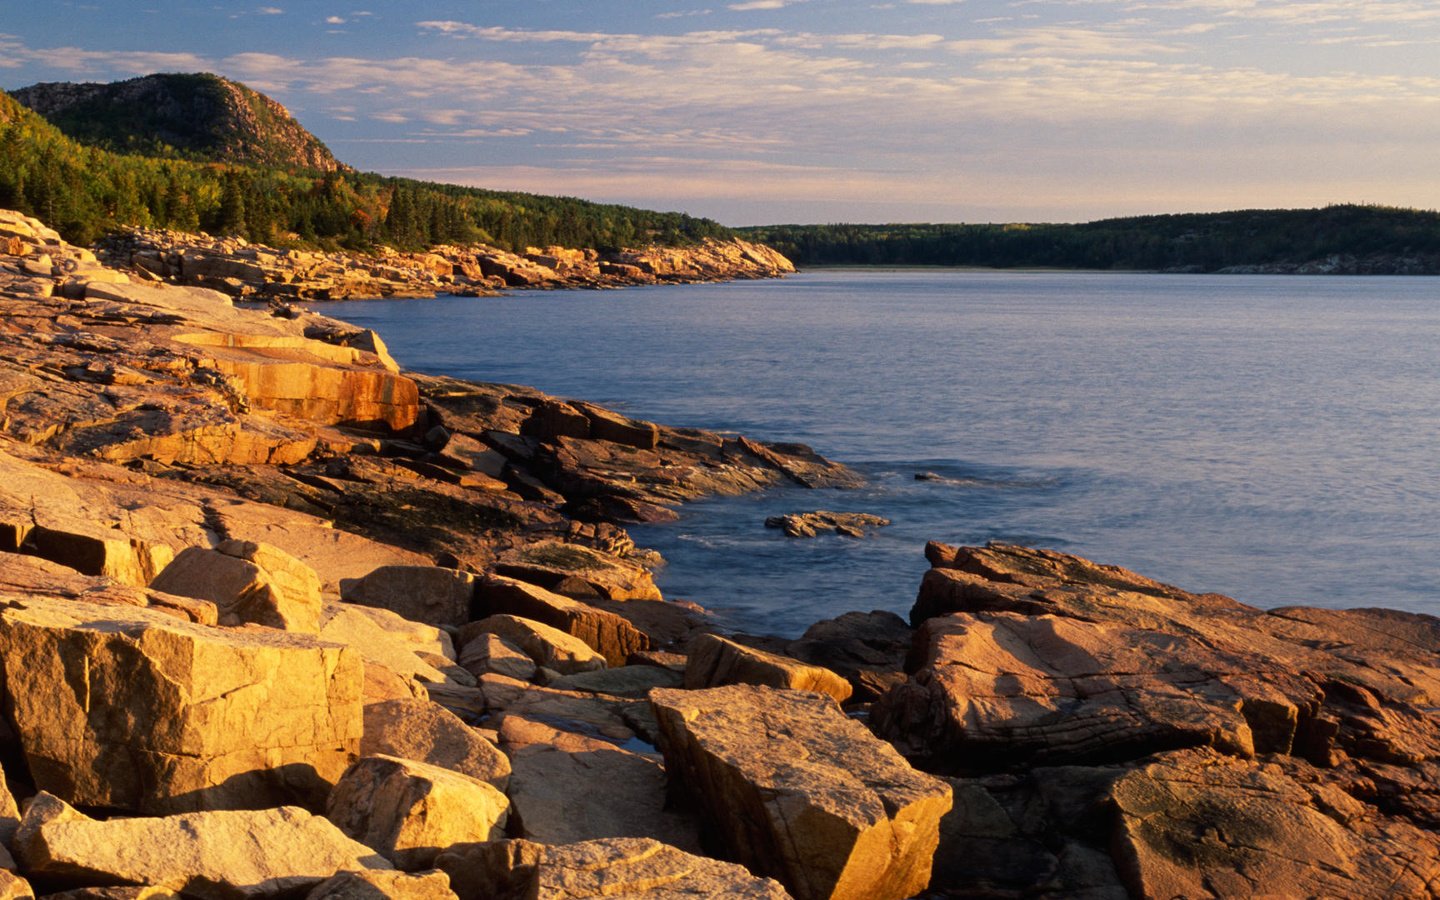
(133, 709)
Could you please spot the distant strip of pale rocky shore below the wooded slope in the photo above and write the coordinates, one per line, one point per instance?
(253, 271)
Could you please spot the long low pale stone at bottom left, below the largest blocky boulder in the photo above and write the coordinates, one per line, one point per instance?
(221, 855)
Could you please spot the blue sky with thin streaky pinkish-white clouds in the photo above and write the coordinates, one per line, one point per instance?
(798, 112)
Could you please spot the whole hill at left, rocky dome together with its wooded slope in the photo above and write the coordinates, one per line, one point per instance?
(120, 178)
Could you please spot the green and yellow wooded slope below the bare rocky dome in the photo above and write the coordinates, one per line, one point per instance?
(86, 191)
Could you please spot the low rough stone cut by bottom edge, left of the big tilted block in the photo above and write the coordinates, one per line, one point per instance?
(617, 868)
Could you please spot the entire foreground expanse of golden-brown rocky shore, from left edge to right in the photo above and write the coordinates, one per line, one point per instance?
(279, 620)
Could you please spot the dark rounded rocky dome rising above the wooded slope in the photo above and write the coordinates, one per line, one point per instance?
(197, 116)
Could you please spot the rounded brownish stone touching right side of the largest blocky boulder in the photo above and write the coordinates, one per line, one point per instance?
(430, 734)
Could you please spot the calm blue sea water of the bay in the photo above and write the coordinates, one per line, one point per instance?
(1269, 438)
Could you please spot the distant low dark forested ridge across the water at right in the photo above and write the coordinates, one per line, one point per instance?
(1336, 240)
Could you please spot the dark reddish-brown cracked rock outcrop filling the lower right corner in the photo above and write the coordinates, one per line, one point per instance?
(1179, 744)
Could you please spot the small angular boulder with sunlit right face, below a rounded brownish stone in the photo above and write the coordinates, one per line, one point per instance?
(411, 811)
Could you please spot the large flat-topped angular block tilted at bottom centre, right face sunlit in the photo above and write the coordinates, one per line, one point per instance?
(801, 793)
